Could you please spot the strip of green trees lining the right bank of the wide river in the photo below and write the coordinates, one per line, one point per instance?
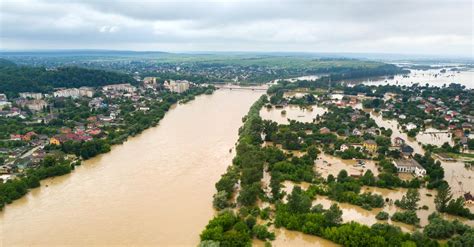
(247, 168)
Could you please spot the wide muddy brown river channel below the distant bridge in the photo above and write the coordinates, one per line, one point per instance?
(155, 189)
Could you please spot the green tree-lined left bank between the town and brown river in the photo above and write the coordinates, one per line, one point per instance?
(64, 156)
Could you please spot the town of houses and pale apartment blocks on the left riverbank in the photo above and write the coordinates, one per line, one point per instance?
(71, 124)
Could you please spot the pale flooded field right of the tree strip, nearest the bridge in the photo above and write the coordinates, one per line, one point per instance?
(293, 112)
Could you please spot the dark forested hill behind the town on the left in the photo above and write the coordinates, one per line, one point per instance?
(15, 79)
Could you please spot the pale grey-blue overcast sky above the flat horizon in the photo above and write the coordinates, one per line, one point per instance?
(389, 26)
